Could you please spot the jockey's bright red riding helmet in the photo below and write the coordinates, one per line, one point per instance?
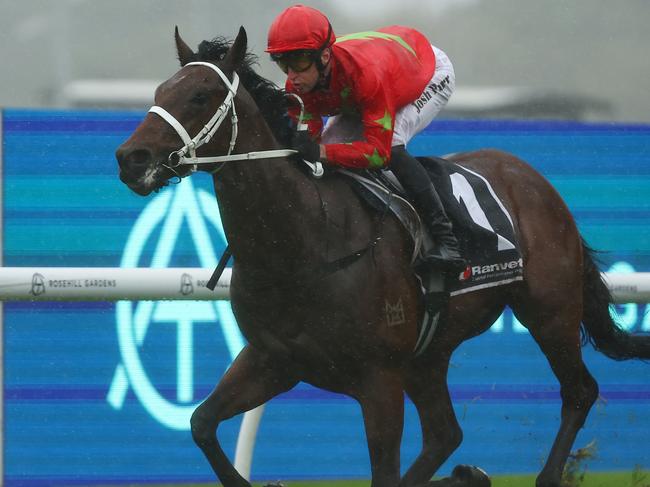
(300, 27)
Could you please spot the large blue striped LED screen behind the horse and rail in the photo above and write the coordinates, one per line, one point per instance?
(100, 393)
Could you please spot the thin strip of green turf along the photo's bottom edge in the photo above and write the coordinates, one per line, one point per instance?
(639, 478)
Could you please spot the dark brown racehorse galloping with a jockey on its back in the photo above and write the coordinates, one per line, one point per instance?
(312, 302)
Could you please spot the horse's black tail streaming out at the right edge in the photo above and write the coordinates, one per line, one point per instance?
(598, 327)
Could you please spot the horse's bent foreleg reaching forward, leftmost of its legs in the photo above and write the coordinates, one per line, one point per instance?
(250, 381)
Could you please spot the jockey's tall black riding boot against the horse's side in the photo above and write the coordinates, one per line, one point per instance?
(417, 184)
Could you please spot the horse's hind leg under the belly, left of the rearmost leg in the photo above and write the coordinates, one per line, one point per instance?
(426, 385)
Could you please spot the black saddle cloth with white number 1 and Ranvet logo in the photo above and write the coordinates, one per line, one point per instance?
(481, 222)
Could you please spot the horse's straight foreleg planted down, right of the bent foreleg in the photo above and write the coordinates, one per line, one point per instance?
(381, 397)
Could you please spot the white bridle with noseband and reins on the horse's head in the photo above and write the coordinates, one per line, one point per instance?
(186, 155)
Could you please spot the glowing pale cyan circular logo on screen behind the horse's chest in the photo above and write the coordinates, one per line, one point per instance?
(169, 213)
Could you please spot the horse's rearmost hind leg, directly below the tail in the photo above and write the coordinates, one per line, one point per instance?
(556, 331)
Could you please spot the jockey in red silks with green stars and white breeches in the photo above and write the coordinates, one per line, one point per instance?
(393, 79)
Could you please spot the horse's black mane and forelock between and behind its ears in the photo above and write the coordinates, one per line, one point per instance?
(270, 99)
